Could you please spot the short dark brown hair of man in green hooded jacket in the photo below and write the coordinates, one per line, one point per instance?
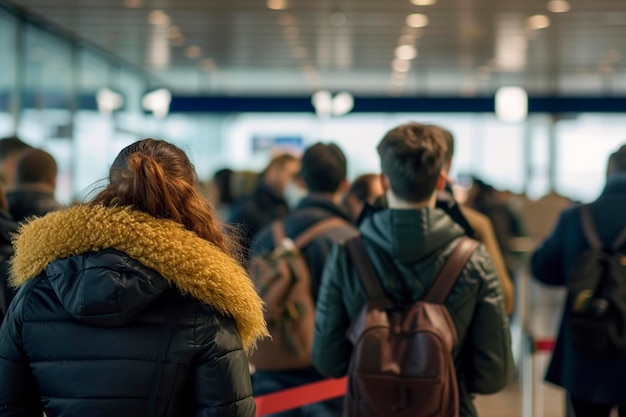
(412, 156)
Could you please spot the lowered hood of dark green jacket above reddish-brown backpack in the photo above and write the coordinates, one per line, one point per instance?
(412, 234)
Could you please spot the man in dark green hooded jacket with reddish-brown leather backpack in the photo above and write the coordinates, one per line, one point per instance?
(412, 310)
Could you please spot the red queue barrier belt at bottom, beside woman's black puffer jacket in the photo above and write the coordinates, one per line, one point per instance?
(300, 396)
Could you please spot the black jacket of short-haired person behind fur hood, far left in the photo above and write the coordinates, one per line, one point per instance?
(31, 200)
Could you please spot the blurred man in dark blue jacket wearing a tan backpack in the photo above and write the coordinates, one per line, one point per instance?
(287, 261)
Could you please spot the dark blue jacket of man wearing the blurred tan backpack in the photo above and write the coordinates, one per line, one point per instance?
(310, 211)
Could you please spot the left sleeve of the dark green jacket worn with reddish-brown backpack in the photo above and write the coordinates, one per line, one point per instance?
(331, 349)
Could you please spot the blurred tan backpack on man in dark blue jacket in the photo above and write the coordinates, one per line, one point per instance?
(283, 281)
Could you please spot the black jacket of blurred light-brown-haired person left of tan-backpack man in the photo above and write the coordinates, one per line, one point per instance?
(256, 211)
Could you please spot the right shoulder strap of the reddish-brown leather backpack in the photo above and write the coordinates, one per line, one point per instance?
(450, 271)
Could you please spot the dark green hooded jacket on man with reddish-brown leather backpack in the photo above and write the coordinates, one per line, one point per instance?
(407, 248)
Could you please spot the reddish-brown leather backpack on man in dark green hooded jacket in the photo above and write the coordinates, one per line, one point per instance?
(402, 364)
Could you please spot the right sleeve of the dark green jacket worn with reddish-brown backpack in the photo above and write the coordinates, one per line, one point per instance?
(489, 367)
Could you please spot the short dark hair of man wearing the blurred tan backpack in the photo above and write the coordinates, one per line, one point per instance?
(324, 168)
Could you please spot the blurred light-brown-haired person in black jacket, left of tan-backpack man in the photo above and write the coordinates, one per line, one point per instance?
(268, 201)
